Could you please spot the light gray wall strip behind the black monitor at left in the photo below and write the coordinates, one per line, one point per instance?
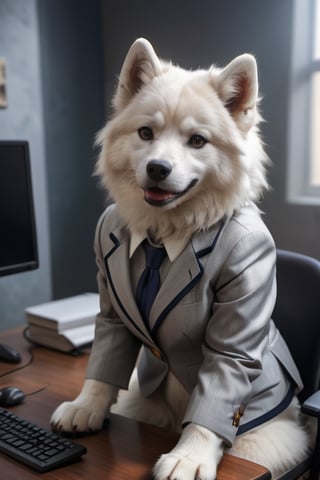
(23, 119)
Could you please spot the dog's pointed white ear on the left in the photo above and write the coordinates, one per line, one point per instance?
(140, 66)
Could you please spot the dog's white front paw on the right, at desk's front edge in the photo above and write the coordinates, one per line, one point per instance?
(196, 456)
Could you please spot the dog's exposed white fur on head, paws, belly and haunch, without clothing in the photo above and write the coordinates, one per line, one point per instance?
(221, 106)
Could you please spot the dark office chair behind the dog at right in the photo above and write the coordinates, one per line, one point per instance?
(297, 315)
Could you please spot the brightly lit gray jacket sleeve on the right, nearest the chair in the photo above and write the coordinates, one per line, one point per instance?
(236, 335)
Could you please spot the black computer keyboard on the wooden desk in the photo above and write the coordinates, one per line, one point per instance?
(34, 446)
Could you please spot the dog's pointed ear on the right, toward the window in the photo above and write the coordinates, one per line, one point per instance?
(238, 89)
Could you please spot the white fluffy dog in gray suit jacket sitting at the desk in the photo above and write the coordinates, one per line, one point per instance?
(183, 161)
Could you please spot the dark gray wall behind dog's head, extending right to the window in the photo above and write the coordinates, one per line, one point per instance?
(196, 34)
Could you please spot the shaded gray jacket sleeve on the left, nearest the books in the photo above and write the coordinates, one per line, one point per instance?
(115, 349)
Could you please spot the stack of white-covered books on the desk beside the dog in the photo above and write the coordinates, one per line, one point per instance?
(65, 324)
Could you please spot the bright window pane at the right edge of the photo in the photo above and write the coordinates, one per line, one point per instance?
(304, 105)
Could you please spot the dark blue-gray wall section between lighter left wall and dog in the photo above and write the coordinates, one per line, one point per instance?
(73, 99)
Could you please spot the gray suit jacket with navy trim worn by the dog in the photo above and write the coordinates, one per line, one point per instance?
(210, 322)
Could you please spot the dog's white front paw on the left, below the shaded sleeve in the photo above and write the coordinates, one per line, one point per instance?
(88, 411)
